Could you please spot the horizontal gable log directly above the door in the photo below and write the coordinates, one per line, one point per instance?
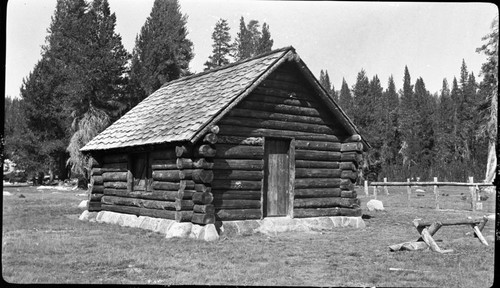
(232, 130)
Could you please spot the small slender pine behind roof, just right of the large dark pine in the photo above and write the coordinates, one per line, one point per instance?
(221, 48)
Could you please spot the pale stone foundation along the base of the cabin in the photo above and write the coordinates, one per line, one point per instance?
(211, 232)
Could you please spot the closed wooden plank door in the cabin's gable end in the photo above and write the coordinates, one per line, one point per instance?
(277, 176)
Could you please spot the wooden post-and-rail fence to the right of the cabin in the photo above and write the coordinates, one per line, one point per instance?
(473, 187)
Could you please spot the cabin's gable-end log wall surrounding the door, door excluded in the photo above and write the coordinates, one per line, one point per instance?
(284, 106)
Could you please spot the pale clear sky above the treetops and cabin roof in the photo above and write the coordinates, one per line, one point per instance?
(343, 38)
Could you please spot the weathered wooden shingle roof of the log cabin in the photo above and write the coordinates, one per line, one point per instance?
(182, 110)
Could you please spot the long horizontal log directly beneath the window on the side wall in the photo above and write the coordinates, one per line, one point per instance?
(152, 195)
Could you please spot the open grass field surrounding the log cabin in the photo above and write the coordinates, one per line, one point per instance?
(44, 242)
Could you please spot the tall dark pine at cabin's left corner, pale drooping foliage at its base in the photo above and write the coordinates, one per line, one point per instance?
(97, 71)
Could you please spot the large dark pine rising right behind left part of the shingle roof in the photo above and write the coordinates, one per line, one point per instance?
(162, 51)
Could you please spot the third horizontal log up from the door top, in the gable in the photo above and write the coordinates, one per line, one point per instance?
(257, 114)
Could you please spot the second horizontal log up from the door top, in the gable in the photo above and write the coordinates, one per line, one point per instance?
(278, 124)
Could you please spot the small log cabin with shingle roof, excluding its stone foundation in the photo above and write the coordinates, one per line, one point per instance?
(253, 139)
